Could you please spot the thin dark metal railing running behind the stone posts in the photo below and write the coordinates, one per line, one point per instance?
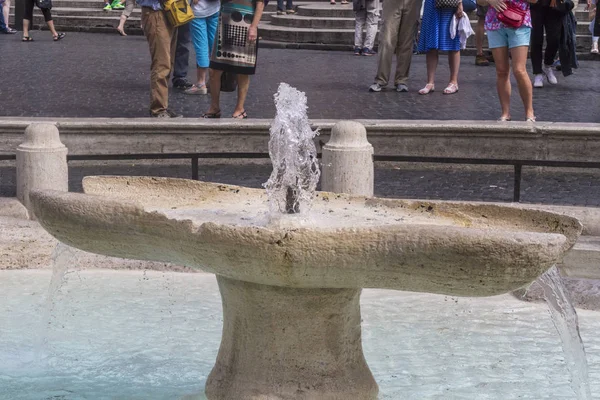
(195, 157)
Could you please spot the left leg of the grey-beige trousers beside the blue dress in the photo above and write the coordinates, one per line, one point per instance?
(388, 39)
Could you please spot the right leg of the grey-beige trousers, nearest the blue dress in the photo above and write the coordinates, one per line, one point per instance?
(404, 46)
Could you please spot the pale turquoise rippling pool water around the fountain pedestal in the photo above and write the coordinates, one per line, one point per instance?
(132, 335)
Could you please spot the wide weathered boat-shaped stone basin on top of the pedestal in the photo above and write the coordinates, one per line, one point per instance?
(343, 242)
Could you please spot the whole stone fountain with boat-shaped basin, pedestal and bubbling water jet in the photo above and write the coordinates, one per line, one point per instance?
(291, 273)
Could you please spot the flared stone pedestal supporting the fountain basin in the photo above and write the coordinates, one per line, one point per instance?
(284, 343)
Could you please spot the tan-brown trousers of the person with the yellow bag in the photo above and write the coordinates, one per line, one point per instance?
(161, 38)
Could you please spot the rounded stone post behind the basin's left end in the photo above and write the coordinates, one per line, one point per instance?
(41, 163)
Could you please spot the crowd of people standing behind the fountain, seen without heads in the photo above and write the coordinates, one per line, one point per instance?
(224, 34)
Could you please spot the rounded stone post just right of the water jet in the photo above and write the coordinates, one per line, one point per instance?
(348, 161)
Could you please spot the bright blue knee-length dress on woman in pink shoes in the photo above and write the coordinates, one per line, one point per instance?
(435, 29)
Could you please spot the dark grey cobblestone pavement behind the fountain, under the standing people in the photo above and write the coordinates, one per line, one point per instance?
(101, 75)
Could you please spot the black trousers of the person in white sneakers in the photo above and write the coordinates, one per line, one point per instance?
(544, 18)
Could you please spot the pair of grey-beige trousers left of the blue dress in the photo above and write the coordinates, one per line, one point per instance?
(398, 32)
